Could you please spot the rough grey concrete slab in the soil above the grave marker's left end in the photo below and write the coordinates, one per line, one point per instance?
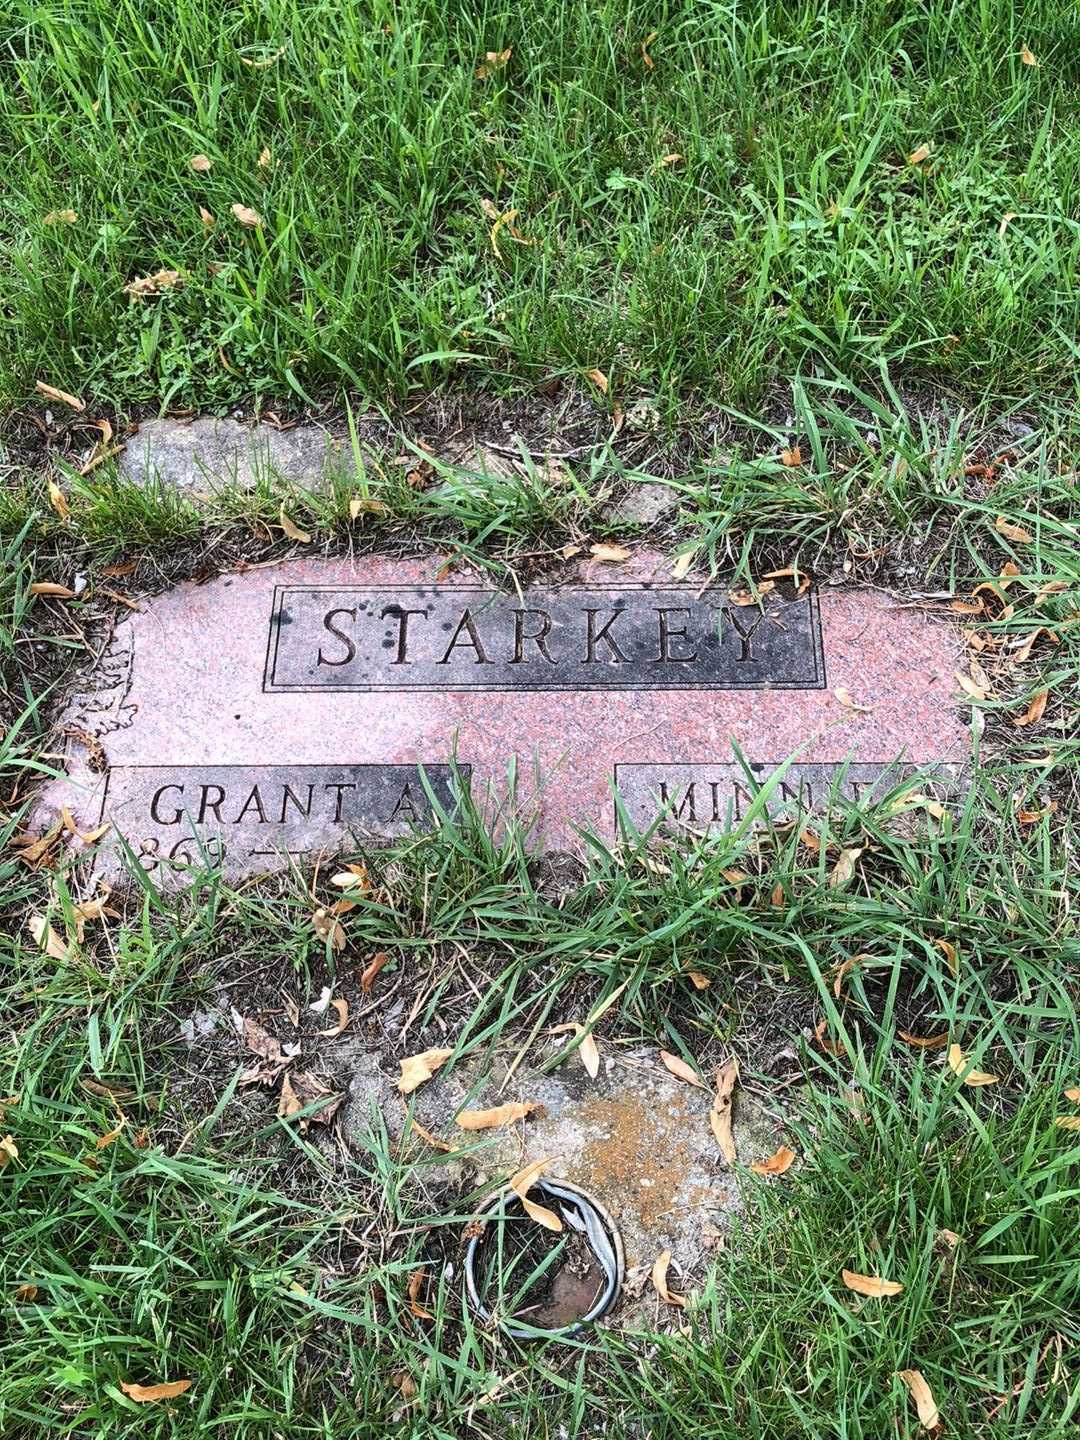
(204, 454)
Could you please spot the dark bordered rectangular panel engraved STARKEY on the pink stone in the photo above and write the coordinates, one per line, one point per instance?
(578, 637)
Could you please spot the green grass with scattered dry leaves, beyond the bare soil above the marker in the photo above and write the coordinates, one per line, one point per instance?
(793, 234)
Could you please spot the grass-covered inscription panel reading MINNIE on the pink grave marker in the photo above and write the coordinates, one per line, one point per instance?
(726, 784)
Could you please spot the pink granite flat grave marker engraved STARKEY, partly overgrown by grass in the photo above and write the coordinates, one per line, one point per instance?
(328, 705)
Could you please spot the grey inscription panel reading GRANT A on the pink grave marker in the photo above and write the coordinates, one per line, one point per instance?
(246, 814)
